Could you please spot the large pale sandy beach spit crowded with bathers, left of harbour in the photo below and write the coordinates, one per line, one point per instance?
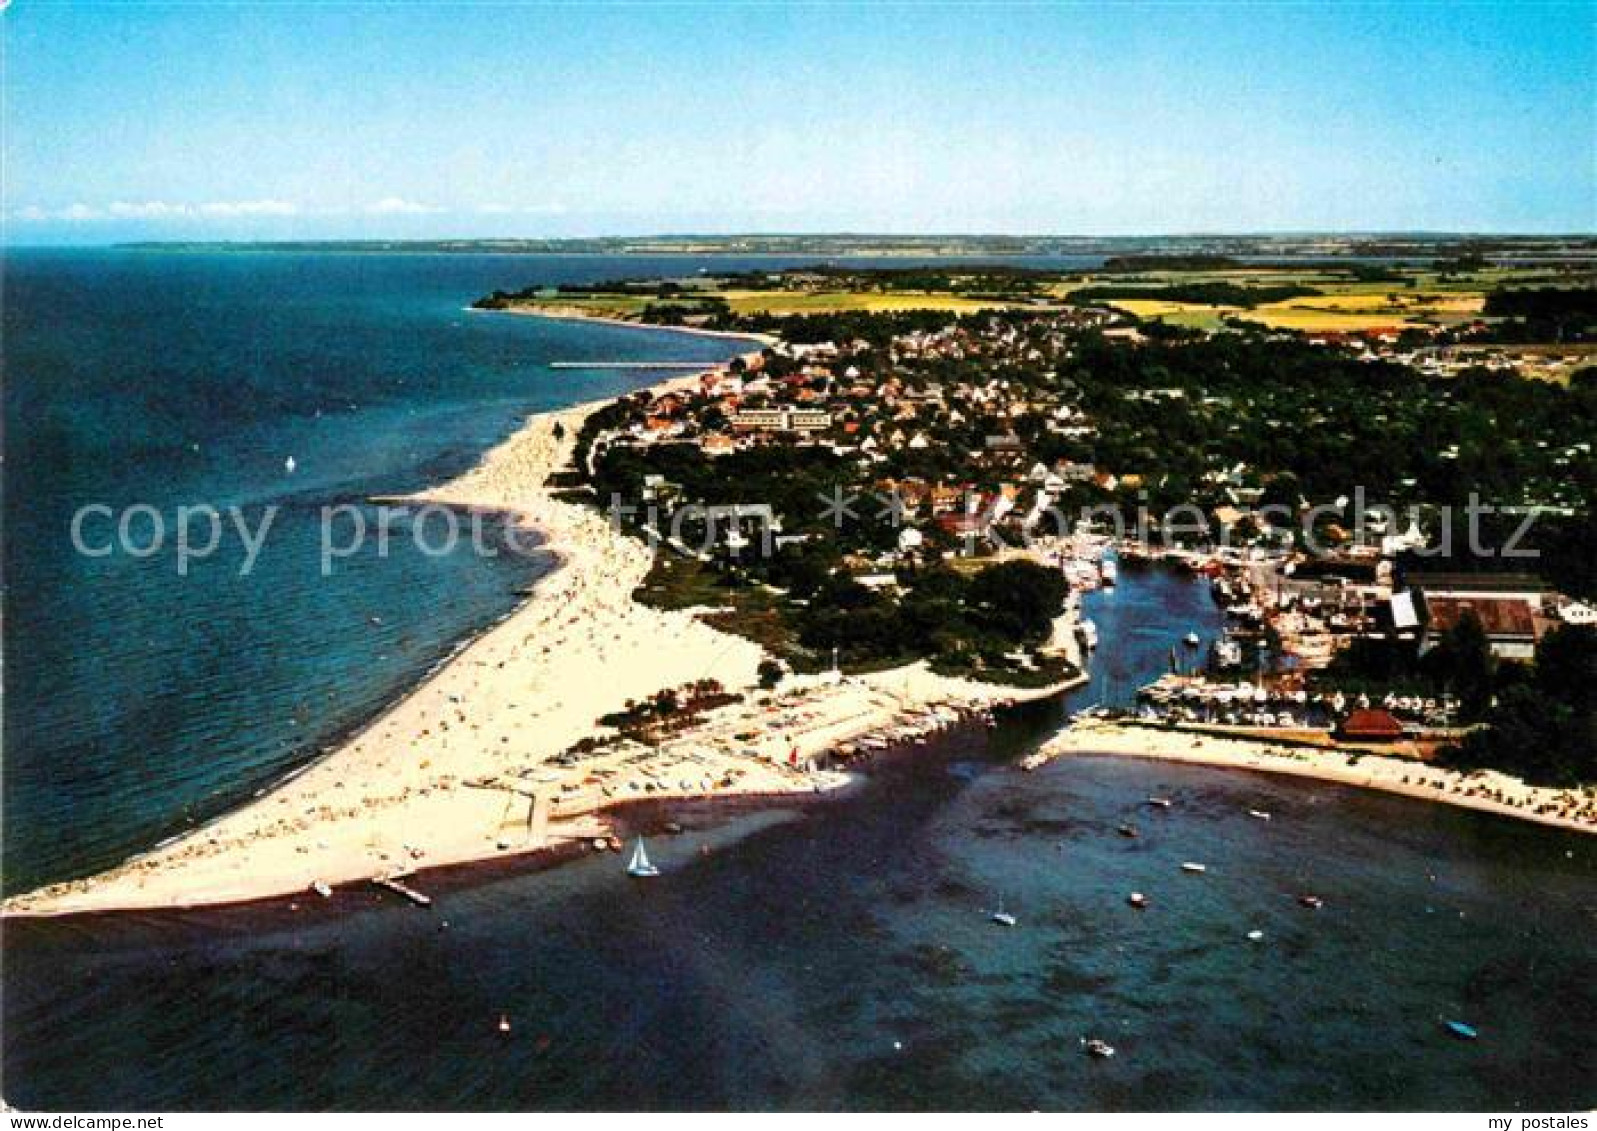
(454, 772)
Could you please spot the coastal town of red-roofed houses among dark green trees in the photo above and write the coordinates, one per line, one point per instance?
(940, 448)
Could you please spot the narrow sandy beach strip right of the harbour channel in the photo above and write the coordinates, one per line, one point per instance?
(1486, 792)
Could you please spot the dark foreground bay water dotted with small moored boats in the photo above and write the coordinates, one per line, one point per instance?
(839, 956)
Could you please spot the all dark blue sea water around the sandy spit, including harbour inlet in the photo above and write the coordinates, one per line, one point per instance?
(828, 954)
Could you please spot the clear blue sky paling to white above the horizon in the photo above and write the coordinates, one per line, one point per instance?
(279, 121)
